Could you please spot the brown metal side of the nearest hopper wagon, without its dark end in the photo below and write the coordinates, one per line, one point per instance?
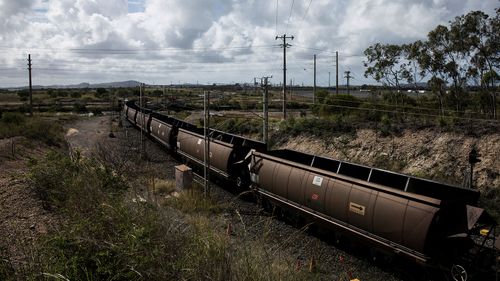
(394, 219)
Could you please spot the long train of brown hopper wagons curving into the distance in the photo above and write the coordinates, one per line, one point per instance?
(428, 222)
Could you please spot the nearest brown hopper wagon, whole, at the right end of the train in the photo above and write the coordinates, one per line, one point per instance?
(400, 215)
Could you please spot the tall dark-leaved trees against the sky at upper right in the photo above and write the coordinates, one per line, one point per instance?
(453, 58)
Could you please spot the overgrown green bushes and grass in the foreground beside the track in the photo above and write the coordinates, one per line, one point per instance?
(107, 236)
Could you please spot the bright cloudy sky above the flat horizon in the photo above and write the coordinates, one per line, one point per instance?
(207, 41)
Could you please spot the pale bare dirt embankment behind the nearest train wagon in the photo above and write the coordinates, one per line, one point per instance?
(425, 153)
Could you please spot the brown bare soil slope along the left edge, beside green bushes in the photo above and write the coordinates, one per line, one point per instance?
(23, 220)
